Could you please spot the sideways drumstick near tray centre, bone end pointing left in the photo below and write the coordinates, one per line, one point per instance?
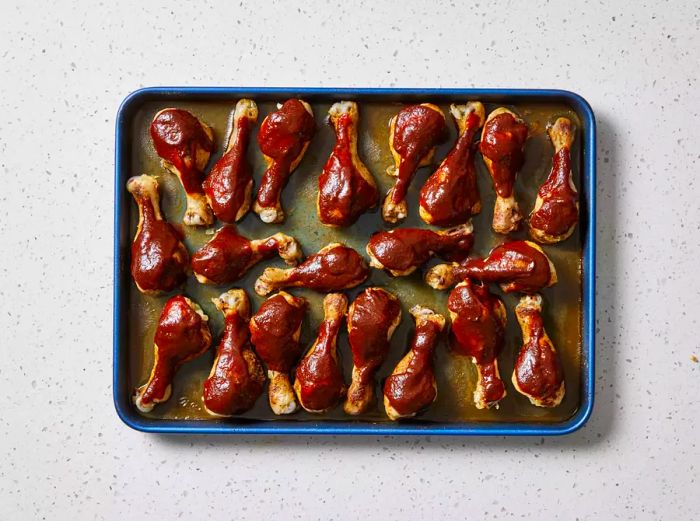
(333, 268)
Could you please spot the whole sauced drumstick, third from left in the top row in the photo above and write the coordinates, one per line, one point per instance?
(284, 137)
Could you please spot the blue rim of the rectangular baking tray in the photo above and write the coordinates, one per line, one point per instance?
(122, 394)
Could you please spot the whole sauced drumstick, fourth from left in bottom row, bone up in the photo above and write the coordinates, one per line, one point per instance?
(319, 382)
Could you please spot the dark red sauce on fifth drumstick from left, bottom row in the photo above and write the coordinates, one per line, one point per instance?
(373, 313)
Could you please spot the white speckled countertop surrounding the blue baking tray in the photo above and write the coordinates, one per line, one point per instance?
(63, 451)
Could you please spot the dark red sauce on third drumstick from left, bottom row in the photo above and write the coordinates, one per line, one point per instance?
(273, 328)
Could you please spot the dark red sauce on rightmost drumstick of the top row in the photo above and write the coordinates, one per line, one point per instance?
(558, 212)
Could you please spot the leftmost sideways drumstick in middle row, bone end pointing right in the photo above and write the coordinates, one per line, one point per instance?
(229, 255)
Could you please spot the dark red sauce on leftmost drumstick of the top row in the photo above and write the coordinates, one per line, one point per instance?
(176, 136)
